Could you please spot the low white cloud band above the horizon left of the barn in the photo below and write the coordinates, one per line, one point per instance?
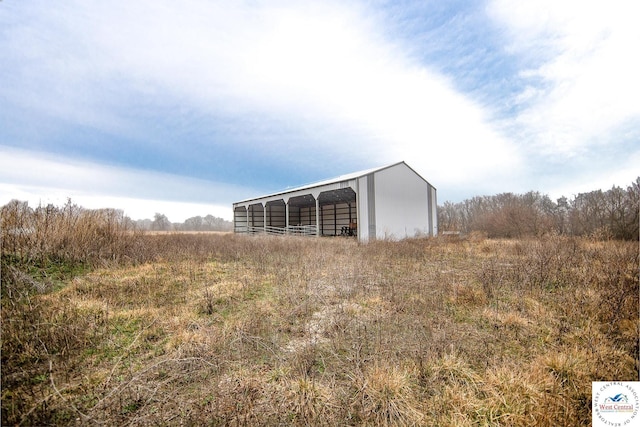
(40, 178)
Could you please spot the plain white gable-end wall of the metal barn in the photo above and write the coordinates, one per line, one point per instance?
(401, 203)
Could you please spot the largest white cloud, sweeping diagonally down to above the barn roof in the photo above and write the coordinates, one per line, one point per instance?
(323, 67)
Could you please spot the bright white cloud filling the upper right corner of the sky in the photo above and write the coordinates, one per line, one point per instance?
(583, 65)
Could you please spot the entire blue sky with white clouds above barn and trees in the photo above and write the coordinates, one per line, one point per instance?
(184, 107)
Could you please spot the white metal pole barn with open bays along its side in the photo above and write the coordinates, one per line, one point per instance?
(390, 202)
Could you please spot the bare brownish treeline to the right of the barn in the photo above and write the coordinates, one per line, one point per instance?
(606, 214)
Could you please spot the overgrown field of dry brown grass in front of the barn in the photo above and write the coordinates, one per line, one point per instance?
(222, 329)
